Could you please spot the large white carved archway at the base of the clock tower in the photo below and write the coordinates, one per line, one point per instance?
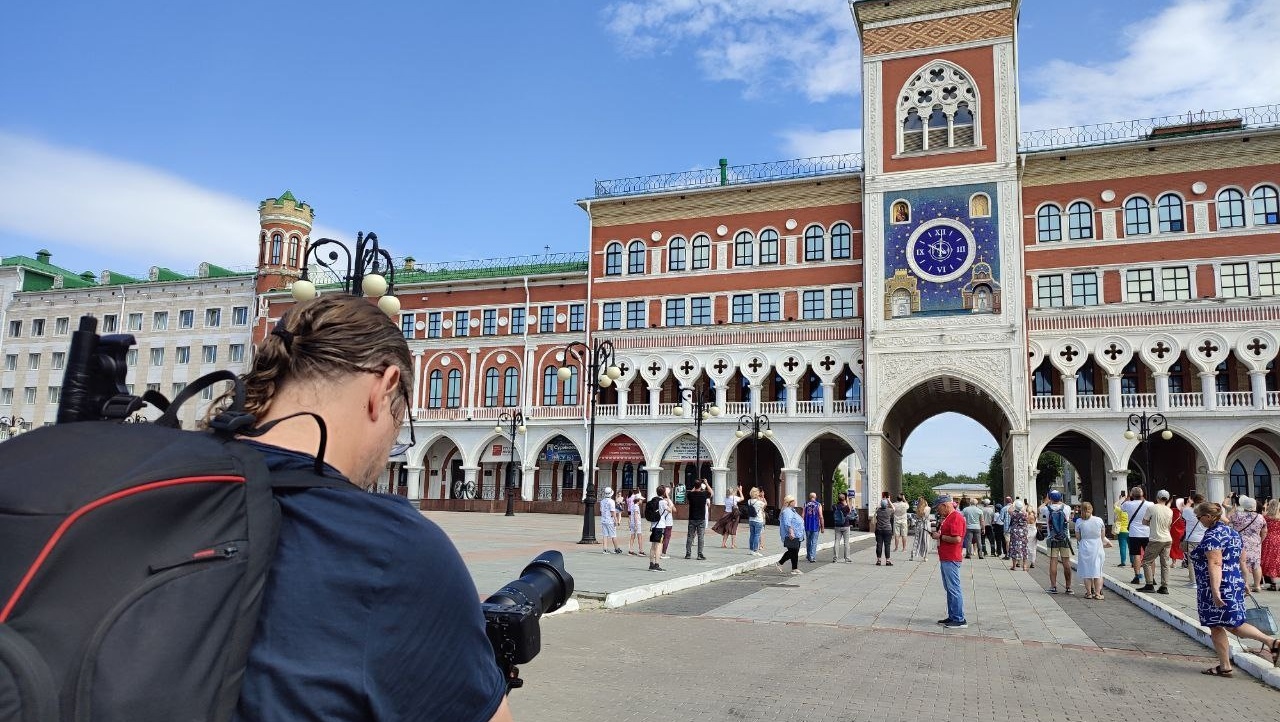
(927, 399)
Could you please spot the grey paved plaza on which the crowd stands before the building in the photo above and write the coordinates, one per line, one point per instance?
(755, 643)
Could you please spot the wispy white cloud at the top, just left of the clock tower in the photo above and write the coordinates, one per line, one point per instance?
(802, 45)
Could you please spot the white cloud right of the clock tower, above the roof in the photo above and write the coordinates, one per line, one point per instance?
(1192, 56)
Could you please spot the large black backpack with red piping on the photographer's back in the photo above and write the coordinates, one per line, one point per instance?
(134, 566)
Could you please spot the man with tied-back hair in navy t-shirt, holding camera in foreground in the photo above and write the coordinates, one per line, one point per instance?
(368, 613)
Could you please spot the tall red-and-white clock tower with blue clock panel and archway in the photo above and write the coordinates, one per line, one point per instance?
(943, 229)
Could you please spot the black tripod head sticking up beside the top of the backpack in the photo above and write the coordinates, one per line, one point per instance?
(94, 383)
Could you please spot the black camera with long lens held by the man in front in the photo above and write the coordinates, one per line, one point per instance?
(511, 614)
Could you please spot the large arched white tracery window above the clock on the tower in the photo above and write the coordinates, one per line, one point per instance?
(936, 111)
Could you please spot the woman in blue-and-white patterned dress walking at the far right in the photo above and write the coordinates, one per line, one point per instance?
(1220, 590)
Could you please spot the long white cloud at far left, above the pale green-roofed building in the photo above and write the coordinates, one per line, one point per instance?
(118, 208)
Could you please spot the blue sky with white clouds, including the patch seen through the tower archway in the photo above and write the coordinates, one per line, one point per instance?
(143, 134)
